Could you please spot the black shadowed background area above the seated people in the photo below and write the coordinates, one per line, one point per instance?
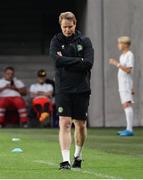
(28, 26)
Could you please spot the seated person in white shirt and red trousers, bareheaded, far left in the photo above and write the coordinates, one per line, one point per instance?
(11, 92)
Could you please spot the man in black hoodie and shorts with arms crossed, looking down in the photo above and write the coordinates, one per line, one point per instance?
(73, 56)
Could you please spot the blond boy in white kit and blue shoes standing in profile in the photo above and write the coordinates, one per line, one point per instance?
(125, 82)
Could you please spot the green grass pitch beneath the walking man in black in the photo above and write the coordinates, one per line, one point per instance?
(105, 155)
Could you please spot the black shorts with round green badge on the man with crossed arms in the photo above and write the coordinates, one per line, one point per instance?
(73, 105)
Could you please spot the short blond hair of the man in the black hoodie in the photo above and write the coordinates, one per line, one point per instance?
(68, 16)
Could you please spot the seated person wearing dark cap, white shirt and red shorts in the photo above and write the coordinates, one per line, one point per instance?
(41, 94)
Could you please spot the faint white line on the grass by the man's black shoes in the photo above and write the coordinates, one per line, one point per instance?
(78, 170)
